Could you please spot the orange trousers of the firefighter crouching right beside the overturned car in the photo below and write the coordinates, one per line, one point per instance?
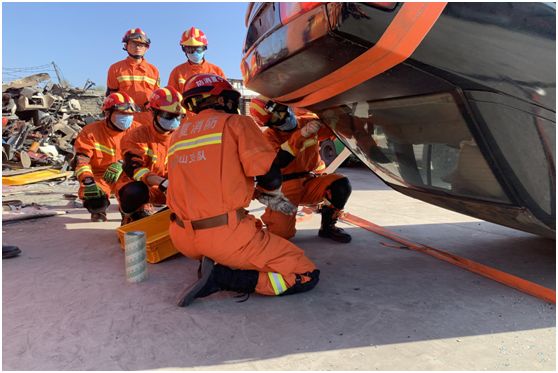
(303, 191)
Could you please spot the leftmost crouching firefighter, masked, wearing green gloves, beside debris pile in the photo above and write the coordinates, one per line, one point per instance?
(97, 162)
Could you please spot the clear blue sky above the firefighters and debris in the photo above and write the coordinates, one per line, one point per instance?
(84, 39)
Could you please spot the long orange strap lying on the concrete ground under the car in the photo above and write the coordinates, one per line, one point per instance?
(515, 282)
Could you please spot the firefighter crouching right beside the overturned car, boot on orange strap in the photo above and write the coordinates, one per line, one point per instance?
(300, 136)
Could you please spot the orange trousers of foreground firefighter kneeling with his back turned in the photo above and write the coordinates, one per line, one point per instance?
(245, 245)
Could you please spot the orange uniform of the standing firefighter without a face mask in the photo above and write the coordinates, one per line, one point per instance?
(138, 80)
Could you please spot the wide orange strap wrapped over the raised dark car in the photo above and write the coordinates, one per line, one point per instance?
(404, 34)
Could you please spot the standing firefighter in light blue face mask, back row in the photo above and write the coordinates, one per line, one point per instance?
(194, 45)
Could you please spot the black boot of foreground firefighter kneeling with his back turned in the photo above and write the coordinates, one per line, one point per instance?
(216, 277)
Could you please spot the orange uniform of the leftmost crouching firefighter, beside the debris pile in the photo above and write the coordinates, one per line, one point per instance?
(101, 144)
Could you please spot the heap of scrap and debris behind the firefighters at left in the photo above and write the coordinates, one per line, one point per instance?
(41, 119)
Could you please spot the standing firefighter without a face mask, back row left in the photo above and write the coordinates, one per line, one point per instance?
(134, 75)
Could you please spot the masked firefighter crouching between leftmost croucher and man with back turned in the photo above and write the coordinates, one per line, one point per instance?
(144, 150)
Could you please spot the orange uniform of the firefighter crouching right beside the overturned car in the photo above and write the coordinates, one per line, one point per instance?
(308, 186)
